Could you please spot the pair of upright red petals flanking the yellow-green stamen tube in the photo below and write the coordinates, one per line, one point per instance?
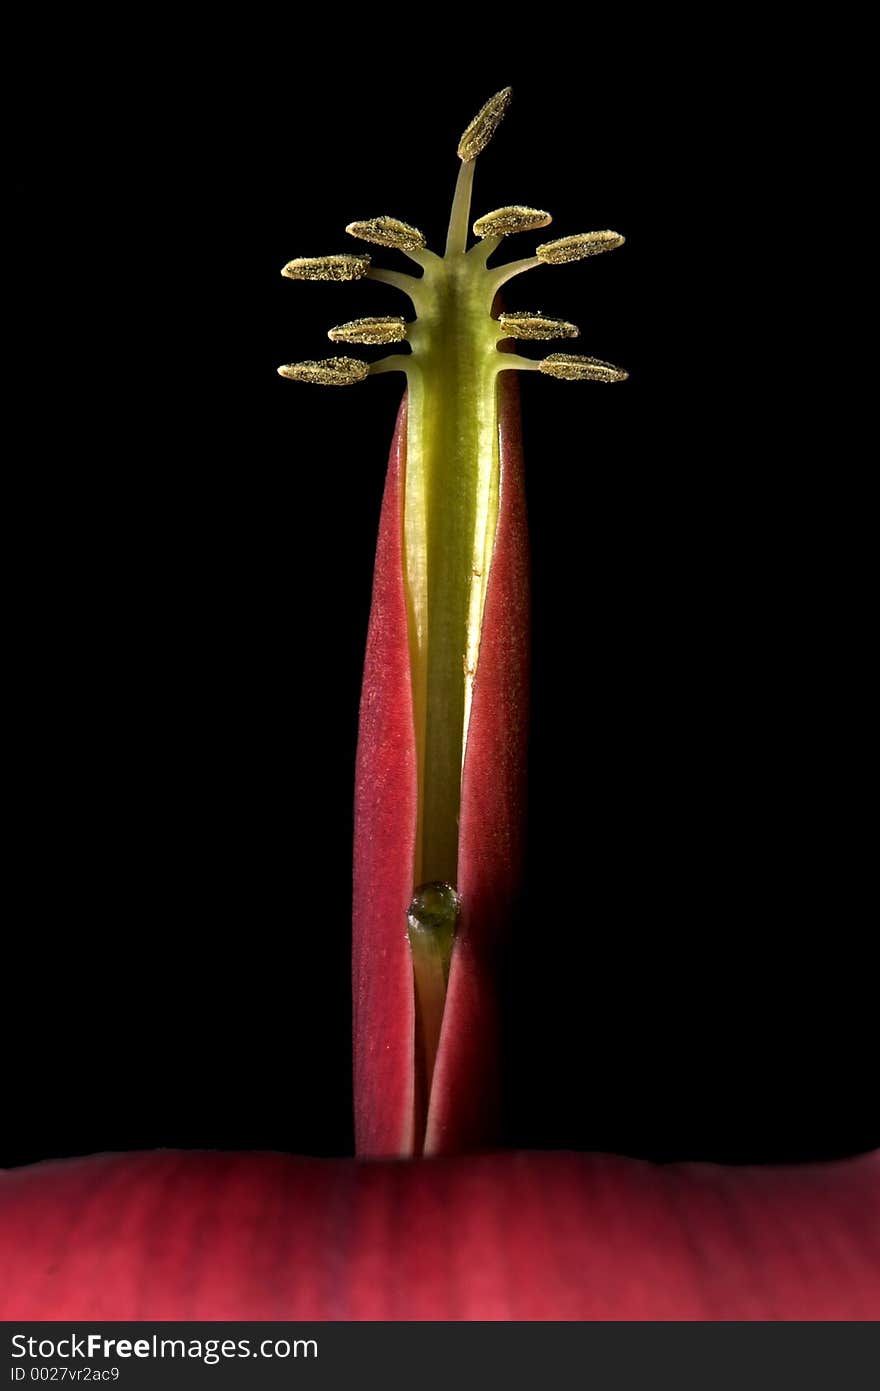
(465, 1094)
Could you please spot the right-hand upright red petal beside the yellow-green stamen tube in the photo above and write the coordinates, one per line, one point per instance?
(465, 1095)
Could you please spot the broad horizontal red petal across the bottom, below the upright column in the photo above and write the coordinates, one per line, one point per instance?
(183, 1236)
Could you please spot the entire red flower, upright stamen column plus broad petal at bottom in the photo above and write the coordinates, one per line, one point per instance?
(439, 838)
